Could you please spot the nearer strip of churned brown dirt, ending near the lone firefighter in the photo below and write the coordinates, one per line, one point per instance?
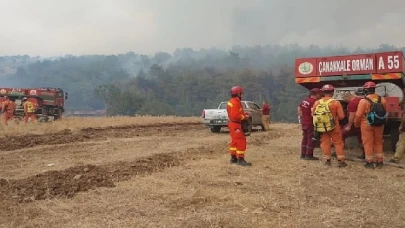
(67, 183)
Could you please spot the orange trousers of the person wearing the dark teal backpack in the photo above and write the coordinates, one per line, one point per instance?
(372, 141)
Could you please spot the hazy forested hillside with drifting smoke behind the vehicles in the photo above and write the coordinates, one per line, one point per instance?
(181, 83)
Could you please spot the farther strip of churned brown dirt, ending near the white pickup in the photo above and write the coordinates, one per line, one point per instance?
(10, 143)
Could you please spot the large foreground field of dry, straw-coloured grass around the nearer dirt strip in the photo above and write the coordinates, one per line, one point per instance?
(279, 190)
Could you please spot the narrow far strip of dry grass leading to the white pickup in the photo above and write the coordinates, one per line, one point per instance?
(77, 123)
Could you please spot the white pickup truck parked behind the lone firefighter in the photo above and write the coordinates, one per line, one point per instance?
(215, 119)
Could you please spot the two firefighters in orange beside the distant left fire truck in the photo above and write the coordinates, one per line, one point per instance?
(8, 108)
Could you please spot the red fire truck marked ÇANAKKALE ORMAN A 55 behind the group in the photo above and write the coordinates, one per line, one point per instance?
(350, 72)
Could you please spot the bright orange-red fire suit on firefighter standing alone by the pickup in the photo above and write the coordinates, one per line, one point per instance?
(235, 112)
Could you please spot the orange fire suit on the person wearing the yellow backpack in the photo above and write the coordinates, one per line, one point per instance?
(335, 135)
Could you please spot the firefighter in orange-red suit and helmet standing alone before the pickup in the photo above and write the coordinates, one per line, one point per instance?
(236, 115)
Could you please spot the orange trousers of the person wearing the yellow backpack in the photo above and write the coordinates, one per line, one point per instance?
(327, 138)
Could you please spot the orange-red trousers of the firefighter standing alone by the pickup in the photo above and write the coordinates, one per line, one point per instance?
(237, 146)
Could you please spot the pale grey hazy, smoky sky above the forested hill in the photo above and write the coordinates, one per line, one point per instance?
(58, 27)
